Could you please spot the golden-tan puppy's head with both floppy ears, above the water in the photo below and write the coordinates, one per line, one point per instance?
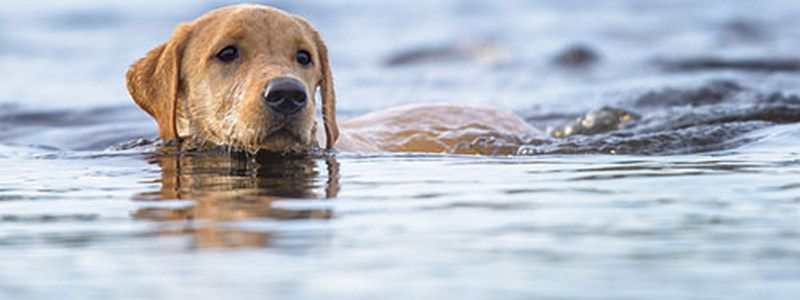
(244, 76)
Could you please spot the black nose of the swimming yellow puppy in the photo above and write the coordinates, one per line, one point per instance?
(285, 96)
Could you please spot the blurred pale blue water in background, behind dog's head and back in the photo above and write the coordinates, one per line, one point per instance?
(506, 53)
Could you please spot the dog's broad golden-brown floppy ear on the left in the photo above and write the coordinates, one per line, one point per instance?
(154, 82)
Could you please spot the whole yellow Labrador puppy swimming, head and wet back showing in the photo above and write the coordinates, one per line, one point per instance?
(246, 76)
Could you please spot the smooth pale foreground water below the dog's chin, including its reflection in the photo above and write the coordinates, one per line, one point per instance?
(212, 225)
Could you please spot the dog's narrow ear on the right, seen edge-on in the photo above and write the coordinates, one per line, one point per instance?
(326, 87)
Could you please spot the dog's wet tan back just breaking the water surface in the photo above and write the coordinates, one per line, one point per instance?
(438, 128)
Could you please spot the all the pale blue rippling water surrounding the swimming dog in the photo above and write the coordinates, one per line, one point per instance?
(696, 196)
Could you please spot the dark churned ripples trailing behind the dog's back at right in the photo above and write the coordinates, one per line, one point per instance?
(715, 116)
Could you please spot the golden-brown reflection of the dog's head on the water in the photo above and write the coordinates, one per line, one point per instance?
(226, 188)
